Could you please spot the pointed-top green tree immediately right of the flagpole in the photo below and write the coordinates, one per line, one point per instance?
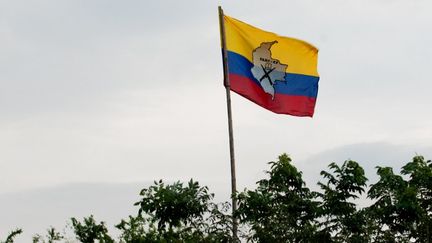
(282, 208)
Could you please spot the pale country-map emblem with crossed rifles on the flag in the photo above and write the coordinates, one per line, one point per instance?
(266, 69)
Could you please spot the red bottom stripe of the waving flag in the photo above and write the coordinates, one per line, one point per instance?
(282, 104)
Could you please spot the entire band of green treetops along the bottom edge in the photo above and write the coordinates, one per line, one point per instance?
(280, 209)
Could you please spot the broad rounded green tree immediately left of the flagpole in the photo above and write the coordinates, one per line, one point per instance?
(178, 213)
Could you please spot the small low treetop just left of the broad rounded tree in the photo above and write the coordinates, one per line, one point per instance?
(89, 231)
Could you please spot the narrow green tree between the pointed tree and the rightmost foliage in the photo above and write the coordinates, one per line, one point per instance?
(340, 219)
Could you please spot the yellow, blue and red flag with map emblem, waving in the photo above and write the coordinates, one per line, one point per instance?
(278, 73)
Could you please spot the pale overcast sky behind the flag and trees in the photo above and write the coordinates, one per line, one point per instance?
(111, 95)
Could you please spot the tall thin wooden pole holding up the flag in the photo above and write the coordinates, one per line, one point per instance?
(230, 126)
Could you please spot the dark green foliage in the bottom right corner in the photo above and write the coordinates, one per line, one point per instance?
(402, 211)
